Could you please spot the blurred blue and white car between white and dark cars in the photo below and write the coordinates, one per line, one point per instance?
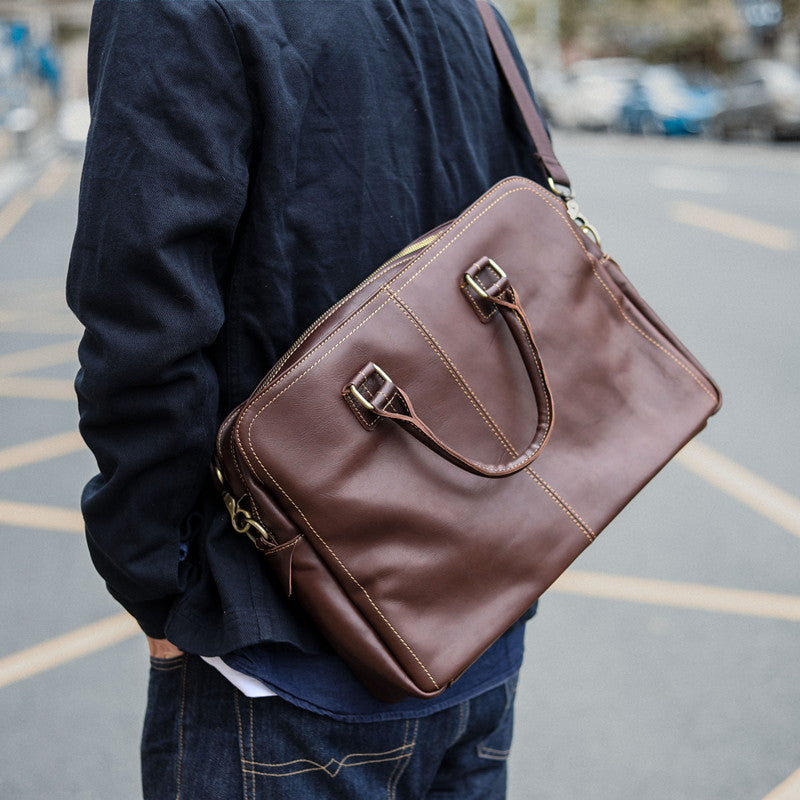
(661, 100)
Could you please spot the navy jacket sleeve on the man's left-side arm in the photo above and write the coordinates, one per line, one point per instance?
(164, 185)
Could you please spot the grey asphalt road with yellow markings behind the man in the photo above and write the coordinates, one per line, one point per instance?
(666, 664)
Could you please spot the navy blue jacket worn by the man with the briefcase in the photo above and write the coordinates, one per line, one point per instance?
(248, 163)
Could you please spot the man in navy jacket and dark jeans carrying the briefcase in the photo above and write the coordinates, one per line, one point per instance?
(250, 162)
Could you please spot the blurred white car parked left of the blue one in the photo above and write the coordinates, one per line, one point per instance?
(592, 93)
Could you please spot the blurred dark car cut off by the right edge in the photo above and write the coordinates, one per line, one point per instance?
(763, 100)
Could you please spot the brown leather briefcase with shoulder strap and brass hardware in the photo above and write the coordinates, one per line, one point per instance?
(437, 449)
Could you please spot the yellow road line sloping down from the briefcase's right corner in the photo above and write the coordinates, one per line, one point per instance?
(740, 483)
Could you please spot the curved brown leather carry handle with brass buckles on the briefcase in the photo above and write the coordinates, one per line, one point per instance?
(389, 401)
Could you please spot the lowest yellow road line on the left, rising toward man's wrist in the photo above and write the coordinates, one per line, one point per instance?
(69, 647)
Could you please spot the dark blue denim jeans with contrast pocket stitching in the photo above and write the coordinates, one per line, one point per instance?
(204, 740)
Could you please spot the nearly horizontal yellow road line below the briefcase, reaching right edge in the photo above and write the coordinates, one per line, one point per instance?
(679, 595)
